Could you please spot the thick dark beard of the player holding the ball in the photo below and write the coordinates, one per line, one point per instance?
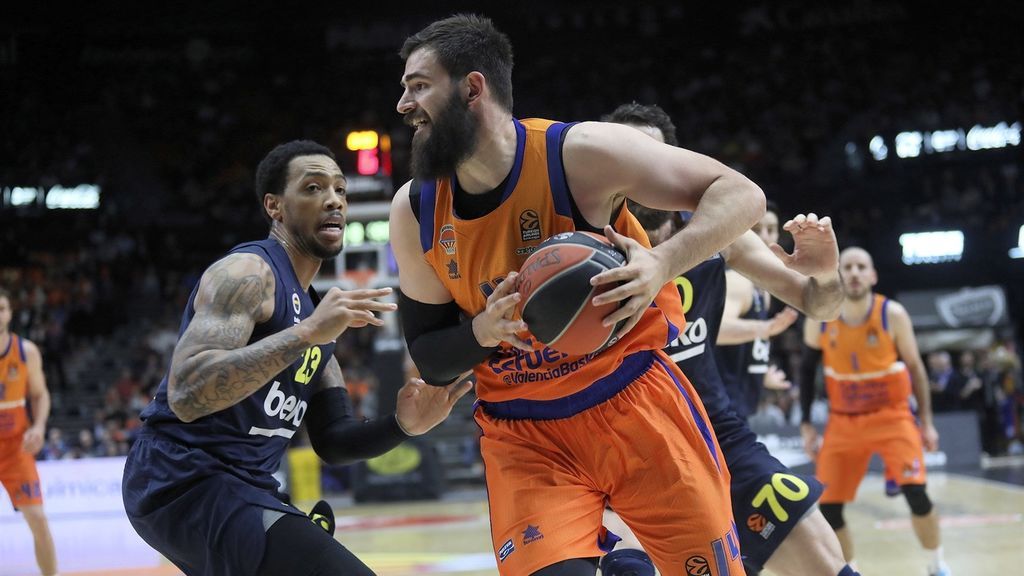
(451, 140)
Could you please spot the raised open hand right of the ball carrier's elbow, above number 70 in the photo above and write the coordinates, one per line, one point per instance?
(816, 252)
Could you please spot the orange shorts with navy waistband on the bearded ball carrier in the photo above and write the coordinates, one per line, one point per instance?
(637, 440)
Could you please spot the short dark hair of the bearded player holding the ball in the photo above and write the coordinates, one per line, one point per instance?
(466, 44)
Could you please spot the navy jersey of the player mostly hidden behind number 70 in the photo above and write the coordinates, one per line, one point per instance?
(744, 366)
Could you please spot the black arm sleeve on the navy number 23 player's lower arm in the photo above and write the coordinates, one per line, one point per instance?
(339, 438)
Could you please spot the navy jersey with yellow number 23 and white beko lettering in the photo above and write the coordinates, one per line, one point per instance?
(251, 437)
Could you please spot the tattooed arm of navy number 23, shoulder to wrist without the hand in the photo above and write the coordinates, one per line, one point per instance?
(212, 368)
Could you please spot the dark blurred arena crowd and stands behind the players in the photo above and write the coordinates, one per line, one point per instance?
(170, 114)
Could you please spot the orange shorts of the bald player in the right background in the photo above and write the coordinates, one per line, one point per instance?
(851, 439)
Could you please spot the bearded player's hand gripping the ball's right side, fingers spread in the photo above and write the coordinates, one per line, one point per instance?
(642, 279)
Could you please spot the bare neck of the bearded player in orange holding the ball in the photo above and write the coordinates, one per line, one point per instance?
(494, 157)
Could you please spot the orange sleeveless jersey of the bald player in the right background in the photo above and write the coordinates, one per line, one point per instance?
(863, 369)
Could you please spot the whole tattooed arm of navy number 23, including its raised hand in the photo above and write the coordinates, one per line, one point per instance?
(214, 369)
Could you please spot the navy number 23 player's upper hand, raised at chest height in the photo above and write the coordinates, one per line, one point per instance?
(340, 310)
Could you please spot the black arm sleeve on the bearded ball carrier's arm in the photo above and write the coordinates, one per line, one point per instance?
(442, 345)
